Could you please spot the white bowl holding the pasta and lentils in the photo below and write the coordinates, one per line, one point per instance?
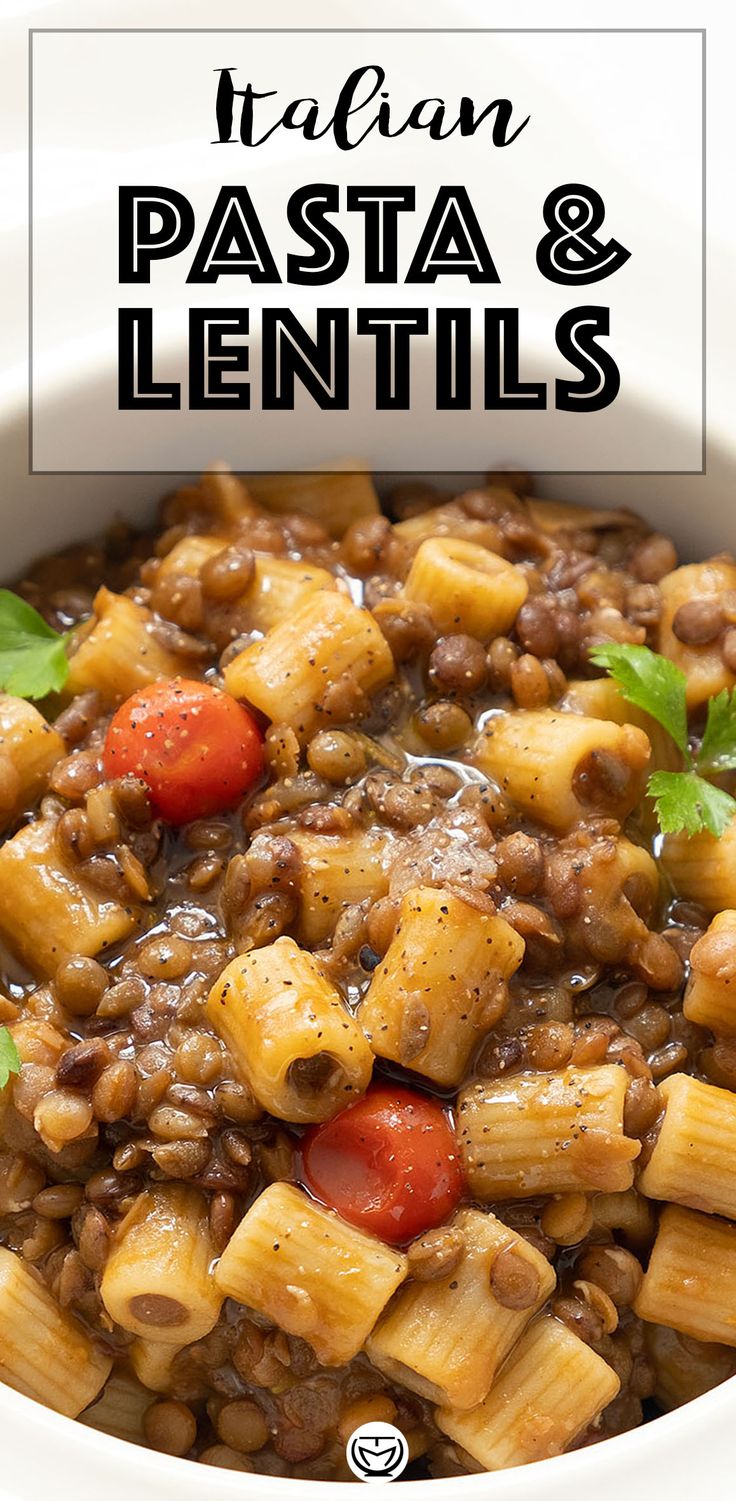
(43, 1454)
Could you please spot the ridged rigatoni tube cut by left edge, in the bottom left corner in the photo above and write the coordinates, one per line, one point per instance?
(44, 1352)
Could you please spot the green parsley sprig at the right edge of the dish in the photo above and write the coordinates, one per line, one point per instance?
(684, 801)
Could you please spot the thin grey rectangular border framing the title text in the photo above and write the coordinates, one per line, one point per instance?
(399, 31)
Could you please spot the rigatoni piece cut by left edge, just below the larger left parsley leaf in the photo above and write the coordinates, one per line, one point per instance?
(29, 748)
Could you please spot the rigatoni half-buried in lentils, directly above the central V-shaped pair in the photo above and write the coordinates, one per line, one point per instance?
(339, 871)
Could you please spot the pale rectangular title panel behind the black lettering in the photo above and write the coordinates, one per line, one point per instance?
(617, 112)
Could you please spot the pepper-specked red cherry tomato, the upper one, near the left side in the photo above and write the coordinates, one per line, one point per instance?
(196, 748)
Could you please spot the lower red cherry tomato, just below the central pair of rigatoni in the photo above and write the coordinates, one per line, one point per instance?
(387, 1164)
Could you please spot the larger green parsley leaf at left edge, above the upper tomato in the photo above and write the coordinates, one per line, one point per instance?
(32, 655)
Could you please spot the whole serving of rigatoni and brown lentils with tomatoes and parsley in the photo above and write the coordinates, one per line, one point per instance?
(369, 1018)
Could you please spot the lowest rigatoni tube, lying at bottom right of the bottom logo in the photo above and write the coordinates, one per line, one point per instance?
(550, 1389)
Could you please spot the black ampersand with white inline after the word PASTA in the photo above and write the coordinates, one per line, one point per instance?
(572, 254)
